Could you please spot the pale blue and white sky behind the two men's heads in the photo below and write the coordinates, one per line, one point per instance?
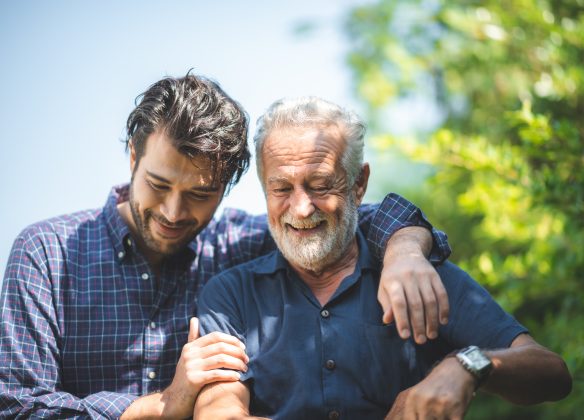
(71, 70)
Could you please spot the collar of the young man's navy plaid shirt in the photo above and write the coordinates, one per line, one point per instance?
(119, 231)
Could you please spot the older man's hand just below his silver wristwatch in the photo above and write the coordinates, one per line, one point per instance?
(444, 394)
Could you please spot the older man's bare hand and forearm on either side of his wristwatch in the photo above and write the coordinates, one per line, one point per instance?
(525, 373)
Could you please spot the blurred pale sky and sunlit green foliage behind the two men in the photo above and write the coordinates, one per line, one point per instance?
(475, 113)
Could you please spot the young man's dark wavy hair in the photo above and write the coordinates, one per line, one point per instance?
(201, 120)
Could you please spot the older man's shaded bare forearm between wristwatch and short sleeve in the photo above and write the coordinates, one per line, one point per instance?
(528, 373)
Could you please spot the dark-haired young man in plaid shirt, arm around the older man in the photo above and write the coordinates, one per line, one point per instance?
(96, 304)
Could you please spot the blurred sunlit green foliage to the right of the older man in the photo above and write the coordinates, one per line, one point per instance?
(507, 79)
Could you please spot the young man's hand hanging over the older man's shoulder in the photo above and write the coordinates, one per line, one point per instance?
(410, 290)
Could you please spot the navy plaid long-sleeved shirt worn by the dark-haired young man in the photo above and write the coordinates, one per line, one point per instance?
(87, 327)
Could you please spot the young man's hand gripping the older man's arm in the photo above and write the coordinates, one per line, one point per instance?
(213, 358)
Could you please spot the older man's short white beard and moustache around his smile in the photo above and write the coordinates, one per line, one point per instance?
(321, 249)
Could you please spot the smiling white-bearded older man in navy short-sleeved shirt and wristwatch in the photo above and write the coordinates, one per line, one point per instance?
(316, 345)
